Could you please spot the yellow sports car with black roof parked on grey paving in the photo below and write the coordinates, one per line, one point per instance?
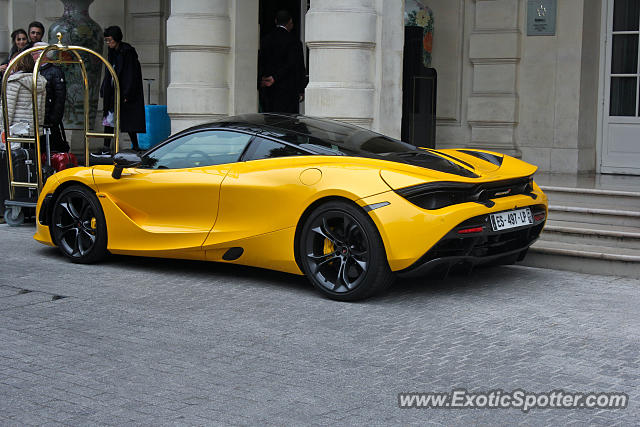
(347, 207)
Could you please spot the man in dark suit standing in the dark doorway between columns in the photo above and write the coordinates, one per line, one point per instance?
(282, 74)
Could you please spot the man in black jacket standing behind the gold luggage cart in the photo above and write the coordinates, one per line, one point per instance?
(55, 100)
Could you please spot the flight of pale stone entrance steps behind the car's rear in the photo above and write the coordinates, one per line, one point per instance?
(590, 228)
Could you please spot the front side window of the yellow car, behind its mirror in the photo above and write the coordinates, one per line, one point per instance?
(205, 148)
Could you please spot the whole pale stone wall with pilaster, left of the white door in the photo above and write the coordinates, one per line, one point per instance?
(529, 96)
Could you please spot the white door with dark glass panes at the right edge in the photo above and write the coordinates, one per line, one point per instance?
(621, 130)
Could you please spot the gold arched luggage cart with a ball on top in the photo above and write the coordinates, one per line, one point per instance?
(17, 204)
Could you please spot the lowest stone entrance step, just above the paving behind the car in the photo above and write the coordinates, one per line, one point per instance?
(591, 259)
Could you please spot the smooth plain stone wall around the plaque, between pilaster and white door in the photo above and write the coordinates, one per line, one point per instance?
(558, 86)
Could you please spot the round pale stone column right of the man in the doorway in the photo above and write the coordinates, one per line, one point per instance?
(341, 36)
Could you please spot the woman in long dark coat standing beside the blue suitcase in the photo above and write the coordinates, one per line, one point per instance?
(124, 59)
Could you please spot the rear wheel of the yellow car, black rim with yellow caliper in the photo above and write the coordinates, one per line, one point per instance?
(342, 254)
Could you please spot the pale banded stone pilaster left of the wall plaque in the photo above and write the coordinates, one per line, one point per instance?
(494, 51)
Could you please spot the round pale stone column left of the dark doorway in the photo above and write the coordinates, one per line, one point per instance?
(199, 42)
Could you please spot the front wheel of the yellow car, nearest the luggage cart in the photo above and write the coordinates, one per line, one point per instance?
(78, 226)
